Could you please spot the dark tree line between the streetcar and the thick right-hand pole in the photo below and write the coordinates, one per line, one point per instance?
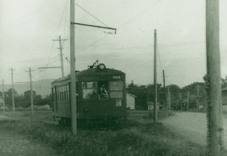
(191, 97)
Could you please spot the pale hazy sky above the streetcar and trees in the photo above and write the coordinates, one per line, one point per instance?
(28, 28)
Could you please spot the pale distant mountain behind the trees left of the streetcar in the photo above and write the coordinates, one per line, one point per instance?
(41, 87)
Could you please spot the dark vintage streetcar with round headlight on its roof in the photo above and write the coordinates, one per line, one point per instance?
(101, 97)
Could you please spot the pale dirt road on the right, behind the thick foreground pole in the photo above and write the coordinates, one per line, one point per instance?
(192, 126)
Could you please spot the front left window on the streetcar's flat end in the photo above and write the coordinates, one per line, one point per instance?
(89, 90)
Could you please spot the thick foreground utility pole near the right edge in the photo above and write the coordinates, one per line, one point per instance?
(213, 80)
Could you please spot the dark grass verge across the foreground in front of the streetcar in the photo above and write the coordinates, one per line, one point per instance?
(135, 139)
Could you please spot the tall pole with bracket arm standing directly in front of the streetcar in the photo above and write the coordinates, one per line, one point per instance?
(72, 68)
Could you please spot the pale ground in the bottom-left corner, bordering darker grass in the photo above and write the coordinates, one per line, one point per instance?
(13, 144)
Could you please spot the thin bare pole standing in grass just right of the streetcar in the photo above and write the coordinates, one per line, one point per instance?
(155, 77)
